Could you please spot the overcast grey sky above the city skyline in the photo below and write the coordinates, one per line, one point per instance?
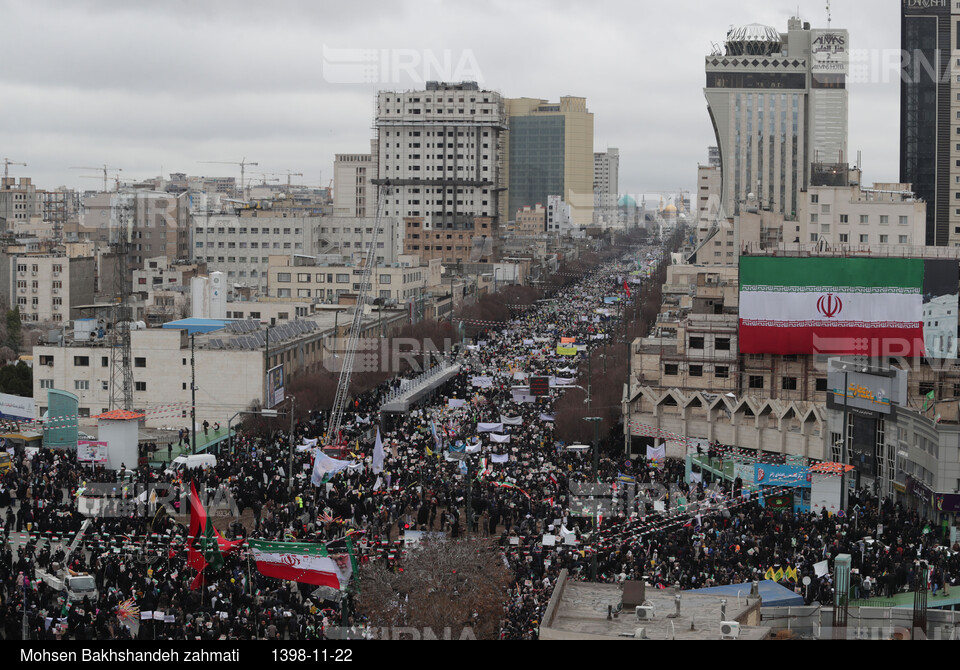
(165, 85)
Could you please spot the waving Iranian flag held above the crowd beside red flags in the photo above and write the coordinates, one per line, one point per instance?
(301, 562)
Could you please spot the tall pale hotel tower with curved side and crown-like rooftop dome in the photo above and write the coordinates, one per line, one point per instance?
(778, 103)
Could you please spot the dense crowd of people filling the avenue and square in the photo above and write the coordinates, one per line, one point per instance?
(519, 479)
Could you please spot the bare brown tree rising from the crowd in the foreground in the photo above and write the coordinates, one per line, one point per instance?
(455, 587)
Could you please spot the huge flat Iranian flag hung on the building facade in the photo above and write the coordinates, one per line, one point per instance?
(831, 306)
